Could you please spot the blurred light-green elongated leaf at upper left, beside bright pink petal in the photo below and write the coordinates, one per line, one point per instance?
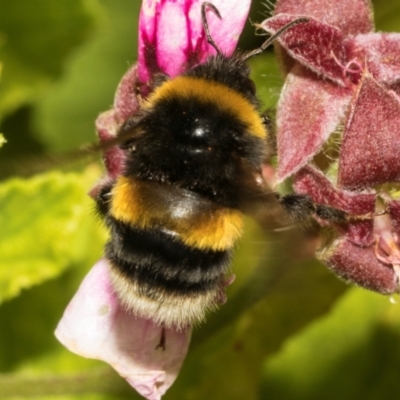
(65, 116)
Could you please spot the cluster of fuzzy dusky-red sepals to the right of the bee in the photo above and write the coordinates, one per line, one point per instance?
(344, 78)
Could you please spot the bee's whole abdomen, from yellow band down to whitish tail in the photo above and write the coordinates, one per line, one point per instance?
(170, 250)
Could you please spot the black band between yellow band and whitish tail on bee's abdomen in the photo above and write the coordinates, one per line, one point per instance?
(156, 260)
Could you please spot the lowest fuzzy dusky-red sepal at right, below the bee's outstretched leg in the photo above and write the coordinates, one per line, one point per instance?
(359, 265)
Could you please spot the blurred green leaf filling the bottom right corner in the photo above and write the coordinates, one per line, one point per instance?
(351, 353)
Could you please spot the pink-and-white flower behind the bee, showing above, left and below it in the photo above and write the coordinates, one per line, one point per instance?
(95, 325)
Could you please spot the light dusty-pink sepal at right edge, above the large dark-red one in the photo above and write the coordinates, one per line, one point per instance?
(381, 52)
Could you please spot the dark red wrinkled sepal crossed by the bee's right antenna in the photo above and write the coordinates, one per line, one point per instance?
(317, 46)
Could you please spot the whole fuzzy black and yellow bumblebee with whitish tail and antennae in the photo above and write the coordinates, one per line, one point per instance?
(193, 168)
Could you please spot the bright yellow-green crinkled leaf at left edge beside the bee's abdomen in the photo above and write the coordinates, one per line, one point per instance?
(46, 226)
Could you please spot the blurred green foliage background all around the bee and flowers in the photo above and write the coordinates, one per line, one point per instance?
(296, 333)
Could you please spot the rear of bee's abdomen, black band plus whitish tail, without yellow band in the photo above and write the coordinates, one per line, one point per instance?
(159, 277)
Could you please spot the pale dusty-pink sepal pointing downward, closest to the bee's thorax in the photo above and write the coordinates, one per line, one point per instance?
(309, 110)
